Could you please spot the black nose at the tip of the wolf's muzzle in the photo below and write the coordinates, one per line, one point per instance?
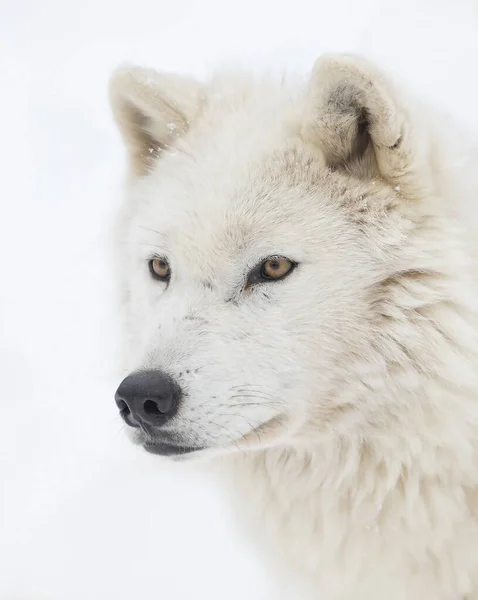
(148, 398)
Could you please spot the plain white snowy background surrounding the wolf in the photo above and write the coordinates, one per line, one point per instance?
(84, 515)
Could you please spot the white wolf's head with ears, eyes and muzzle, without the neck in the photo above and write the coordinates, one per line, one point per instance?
(266, 234)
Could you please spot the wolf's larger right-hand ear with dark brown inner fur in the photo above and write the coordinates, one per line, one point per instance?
(358, 121)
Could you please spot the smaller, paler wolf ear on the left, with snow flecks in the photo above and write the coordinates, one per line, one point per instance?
(152, 111)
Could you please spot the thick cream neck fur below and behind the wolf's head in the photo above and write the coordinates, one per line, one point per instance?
(389, 476)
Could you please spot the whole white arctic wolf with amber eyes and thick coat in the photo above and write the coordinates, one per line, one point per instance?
(298, 270)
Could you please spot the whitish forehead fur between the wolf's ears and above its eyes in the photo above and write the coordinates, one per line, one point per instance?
(245, 169)
